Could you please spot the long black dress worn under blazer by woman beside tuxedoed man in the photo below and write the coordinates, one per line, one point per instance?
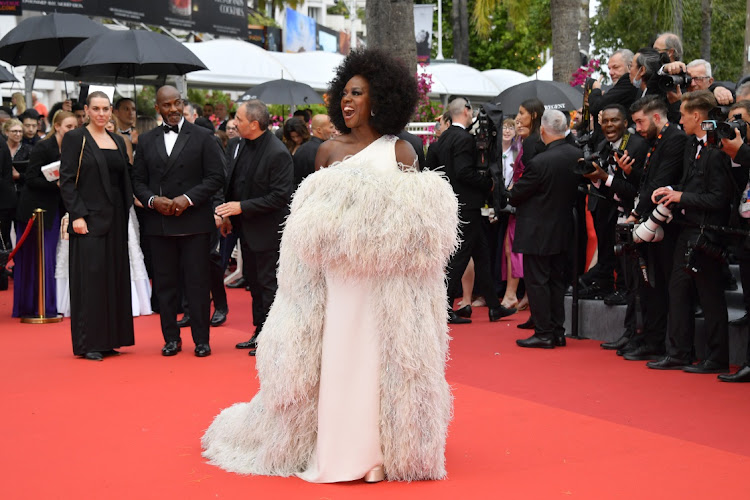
(100, 303)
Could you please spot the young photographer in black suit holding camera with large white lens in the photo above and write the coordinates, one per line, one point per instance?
(703, 196)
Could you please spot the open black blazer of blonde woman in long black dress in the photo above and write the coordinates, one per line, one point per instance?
(92, 198)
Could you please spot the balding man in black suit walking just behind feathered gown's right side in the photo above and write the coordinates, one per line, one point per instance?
(456, 152)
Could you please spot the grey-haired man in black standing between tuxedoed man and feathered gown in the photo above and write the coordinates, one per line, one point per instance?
(261, 181)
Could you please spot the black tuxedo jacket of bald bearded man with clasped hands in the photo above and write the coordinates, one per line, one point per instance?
(194, 169)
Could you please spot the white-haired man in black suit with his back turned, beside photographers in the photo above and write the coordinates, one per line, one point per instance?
(545, 196)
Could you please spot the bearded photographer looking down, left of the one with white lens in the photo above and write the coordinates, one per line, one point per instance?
(662, 167)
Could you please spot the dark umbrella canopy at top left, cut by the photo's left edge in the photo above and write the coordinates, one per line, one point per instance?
(46, 40)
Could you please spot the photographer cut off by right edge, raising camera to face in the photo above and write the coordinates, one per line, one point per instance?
(738, 149)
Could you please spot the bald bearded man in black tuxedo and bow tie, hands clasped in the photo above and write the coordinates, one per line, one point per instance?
(177, 170)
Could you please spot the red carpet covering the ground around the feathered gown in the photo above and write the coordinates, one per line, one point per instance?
(576, 422)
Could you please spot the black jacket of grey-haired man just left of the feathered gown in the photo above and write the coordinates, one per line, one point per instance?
(266, 194)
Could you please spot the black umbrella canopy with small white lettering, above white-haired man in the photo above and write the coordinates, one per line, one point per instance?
(554, 95)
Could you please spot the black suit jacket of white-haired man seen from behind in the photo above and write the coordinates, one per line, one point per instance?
(545, 196)
